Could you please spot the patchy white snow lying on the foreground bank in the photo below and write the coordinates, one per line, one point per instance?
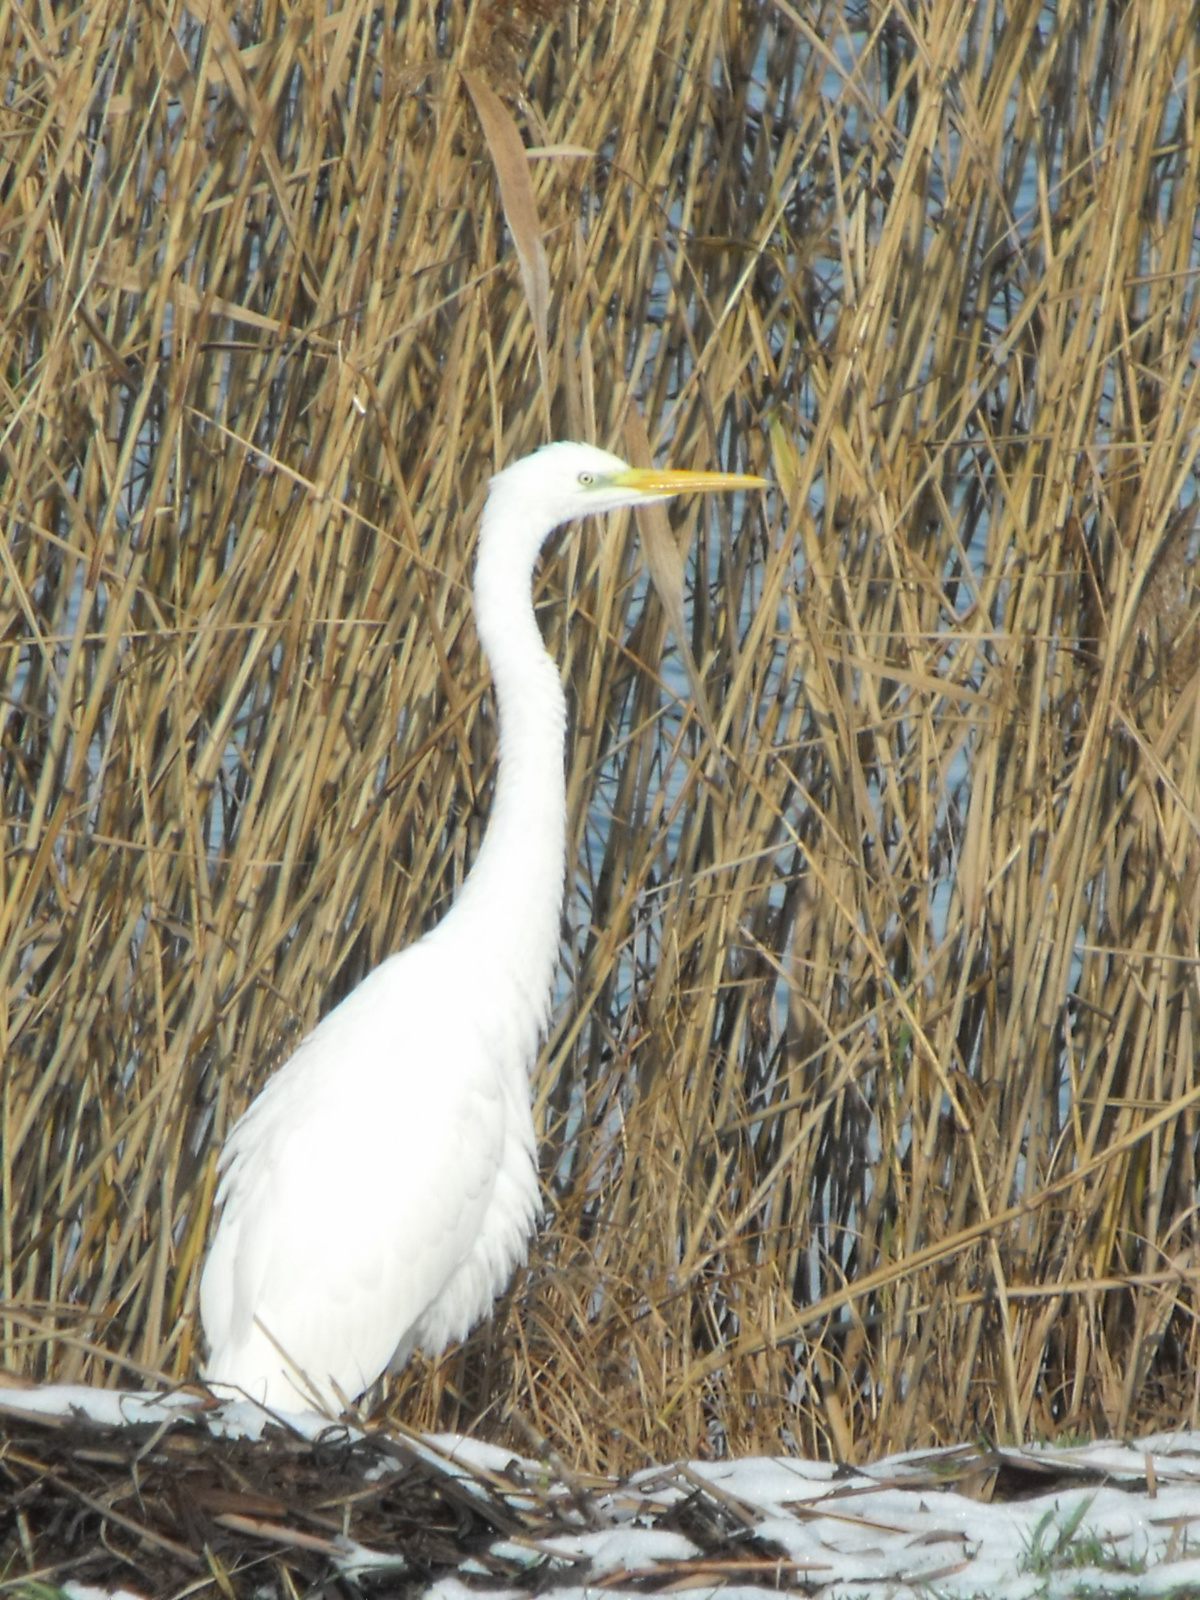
(1111, 1519)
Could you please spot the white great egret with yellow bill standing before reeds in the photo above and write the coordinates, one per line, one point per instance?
(383, 1186)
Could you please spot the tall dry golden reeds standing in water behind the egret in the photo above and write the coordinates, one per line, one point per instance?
(871, 1106)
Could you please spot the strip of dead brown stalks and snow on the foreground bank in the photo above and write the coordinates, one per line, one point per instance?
(174, 1506)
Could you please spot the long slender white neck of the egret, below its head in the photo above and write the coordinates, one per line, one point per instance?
(511, 906)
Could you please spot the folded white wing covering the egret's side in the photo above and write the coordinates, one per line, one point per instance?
(358, 1183)
